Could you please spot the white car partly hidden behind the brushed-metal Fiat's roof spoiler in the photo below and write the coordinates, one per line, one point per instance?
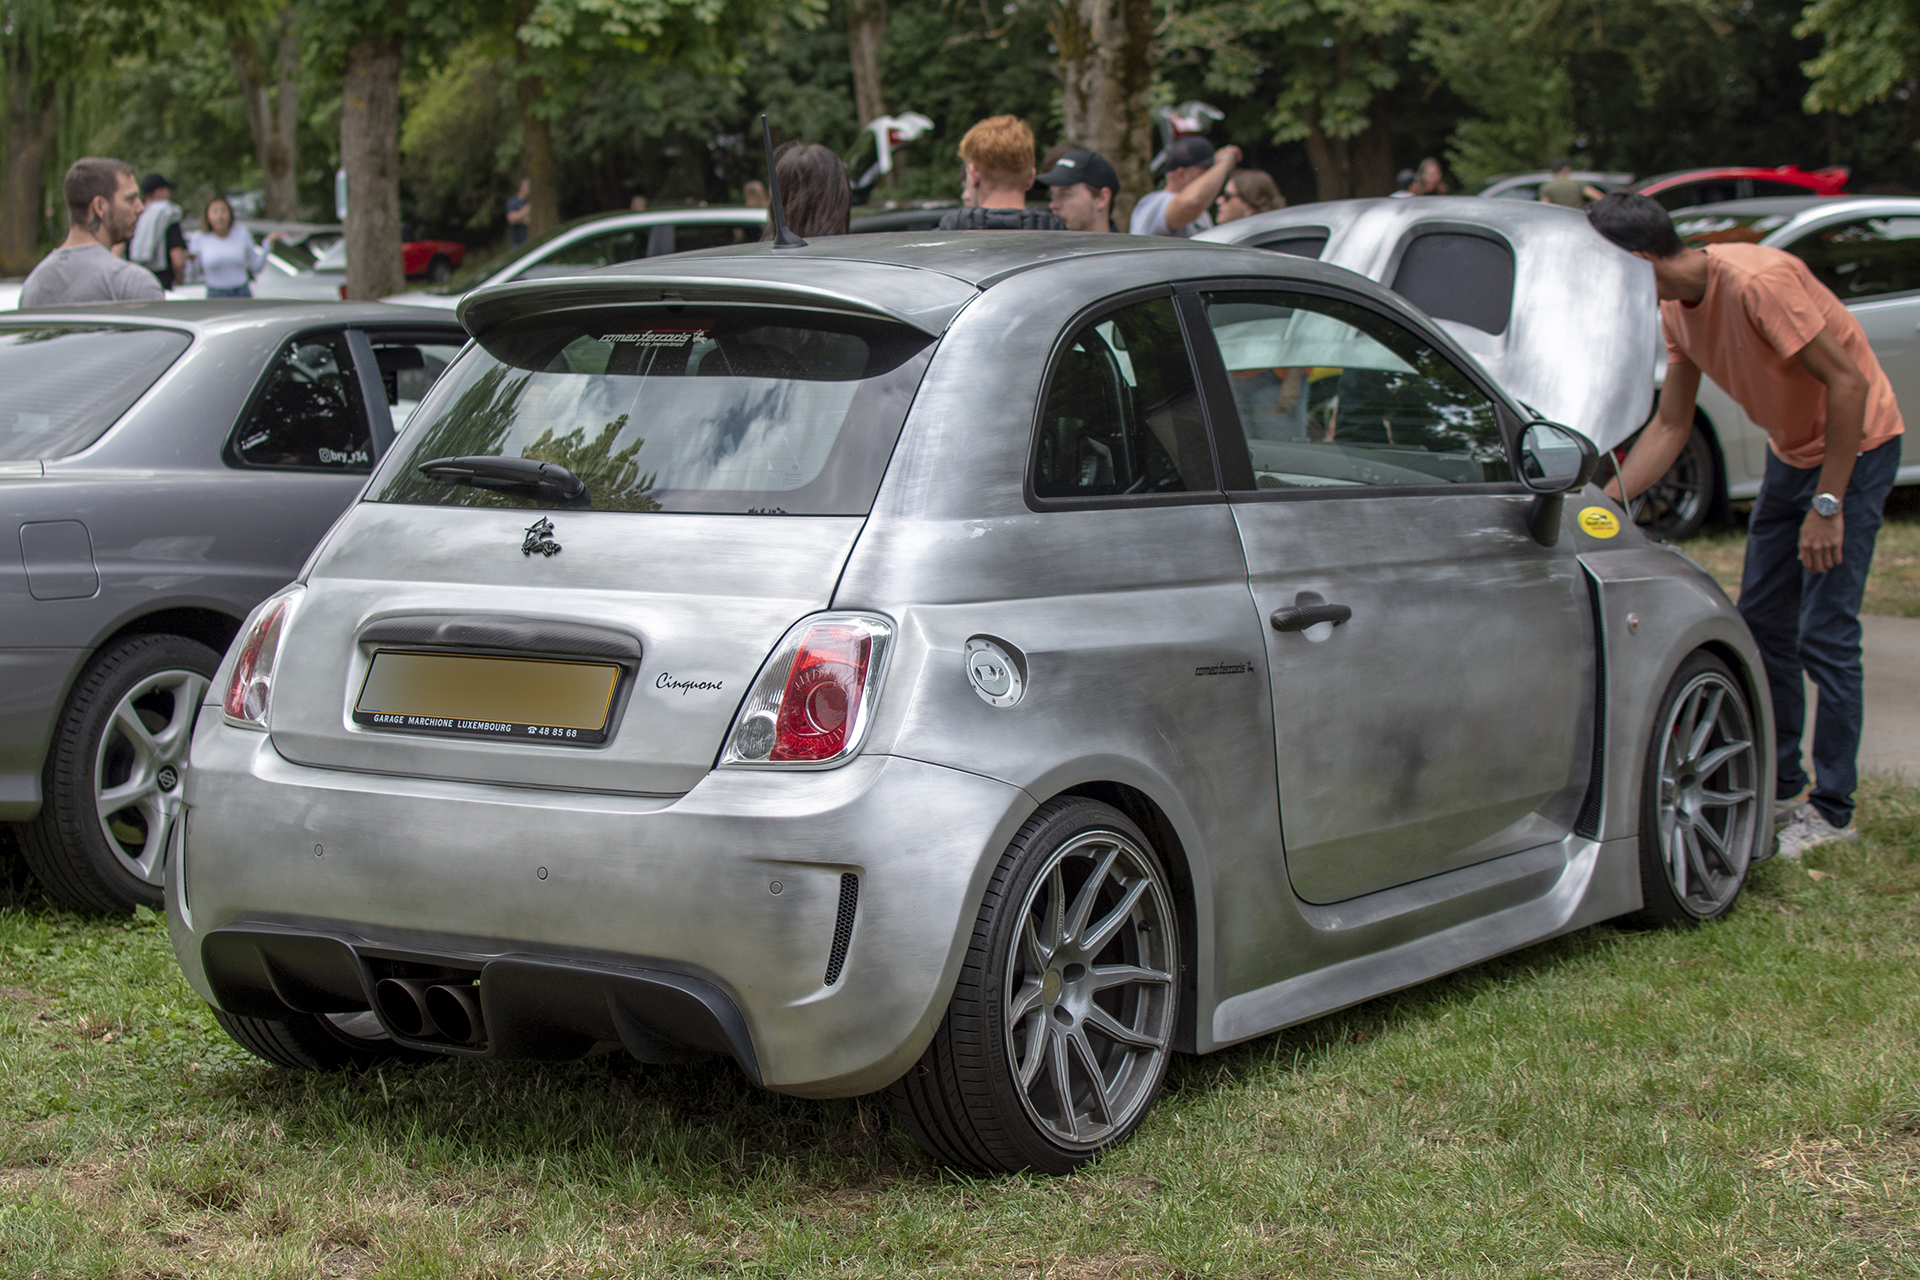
(602, 243)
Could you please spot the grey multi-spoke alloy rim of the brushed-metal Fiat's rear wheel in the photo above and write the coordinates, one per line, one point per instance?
(1090, 989)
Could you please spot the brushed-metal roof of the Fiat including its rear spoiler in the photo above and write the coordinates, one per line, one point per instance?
(921, 279)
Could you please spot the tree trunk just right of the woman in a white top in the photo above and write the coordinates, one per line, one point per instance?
(370, 153)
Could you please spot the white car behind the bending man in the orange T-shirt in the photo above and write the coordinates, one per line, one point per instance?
(1867, 250)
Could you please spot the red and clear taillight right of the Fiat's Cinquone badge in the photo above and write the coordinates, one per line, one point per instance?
(815, 696)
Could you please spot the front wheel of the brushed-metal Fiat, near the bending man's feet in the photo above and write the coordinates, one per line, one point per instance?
(1702, 817)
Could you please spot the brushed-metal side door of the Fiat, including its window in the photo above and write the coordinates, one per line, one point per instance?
(1449, 717)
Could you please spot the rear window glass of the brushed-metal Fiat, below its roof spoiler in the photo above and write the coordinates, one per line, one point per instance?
(715, 410)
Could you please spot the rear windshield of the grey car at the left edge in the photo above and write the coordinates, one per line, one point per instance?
(66, 385)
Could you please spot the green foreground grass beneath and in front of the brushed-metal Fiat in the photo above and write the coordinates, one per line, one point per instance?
(1742, 1101)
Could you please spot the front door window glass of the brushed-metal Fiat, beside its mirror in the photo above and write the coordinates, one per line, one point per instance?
(1335, 396)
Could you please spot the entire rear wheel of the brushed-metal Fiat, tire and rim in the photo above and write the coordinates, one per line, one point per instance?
(965, 1101)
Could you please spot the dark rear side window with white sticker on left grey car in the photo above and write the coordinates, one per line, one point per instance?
(310, 414)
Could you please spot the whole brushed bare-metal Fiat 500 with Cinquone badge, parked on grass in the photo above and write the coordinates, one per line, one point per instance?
(971, 667)
